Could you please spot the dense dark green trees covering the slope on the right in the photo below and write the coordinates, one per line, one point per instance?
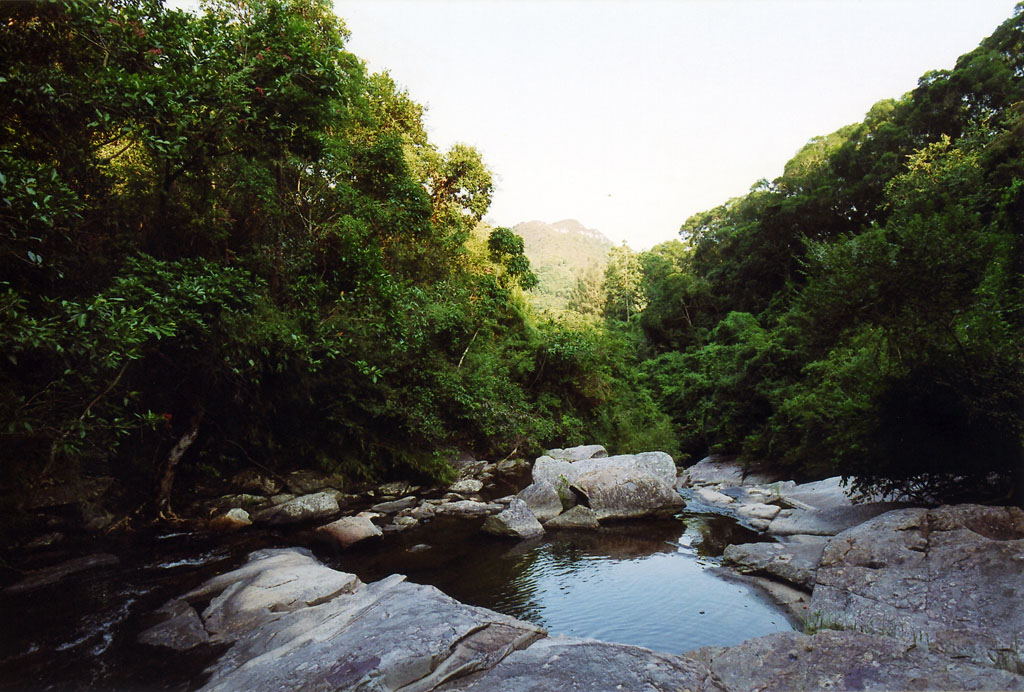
(862, 315)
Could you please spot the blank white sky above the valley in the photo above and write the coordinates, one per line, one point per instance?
(632, 116)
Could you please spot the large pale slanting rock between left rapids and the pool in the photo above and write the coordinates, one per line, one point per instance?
(295, 625)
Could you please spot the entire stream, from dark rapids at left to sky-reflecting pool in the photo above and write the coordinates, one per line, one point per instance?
(655, 584)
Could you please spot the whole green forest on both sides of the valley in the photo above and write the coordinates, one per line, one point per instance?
(225, 243)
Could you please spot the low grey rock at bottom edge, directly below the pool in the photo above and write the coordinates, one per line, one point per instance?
(568, 664)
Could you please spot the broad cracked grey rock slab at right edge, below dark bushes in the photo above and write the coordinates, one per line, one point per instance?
(949, 578)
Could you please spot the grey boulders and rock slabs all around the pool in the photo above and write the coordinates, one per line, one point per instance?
(892, 597)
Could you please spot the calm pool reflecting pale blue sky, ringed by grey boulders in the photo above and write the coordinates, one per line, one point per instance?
(650, 584)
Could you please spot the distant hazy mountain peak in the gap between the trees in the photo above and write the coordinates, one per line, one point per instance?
(560, 253)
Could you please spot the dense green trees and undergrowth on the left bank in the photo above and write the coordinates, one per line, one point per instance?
(224, 243)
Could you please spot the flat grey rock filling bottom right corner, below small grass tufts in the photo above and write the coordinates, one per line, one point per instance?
(845, 661)
